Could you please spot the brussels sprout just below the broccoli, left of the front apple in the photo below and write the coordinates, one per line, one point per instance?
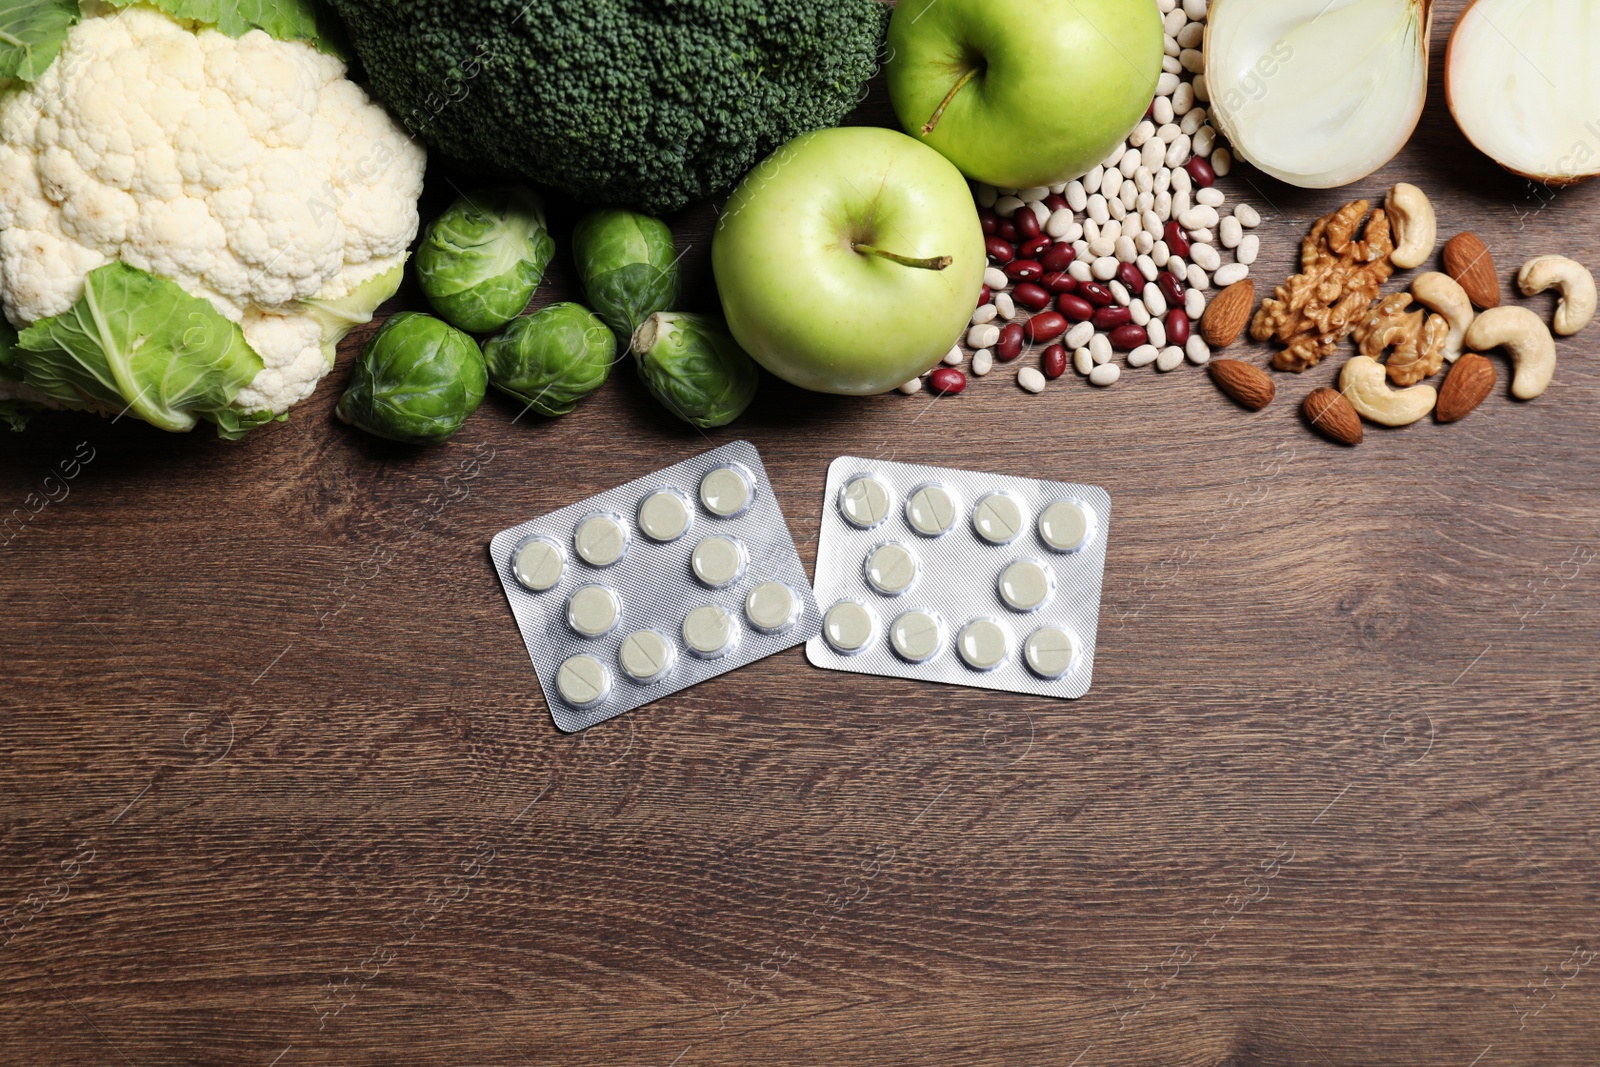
(628, 266)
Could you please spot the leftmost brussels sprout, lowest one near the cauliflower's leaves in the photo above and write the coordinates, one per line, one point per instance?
(417, 382)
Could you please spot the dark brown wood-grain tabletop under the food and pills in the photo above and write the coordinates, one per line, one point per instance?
(278, 785)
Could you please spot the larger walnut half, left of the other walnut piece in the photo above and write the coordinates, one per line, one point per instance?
(1340, 279)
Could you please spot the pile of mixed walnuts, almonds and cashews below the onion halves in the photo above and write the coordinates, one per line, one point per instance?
(1338, 297)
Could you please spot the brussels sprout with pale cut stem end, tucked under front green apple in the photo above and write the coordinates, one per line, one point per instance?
(695, 369)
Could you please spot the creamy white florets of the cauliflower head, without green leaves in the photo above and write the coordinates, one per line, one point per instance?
(246, 170)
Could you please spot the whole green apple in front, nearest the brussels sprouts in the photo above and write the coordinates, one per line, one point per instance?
(850, 260)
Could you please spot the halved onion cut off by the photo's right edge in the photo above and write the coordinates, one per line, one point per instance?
(1522, 82)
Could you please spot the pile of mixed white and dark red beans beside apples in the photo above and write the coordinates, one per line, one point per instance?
(1113, 270)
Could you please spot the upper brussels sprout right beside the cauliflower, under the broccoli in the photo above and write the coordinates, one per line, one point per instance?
(481, 262)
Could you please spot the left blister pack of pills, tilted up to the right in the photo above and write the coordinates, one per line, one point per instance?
(655, 586)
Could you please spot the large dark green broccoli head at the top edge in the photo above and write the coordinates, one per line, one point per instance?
(644, 103)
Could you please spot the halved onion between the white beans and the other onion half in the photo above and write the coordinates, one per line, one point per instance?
(1318, 94)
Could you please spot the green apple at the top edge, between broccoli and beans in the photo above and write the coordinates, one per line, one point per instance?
(1023, 92)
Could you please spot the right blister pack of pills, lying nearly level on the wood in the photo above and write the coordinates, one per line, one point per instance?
(958, 577)
